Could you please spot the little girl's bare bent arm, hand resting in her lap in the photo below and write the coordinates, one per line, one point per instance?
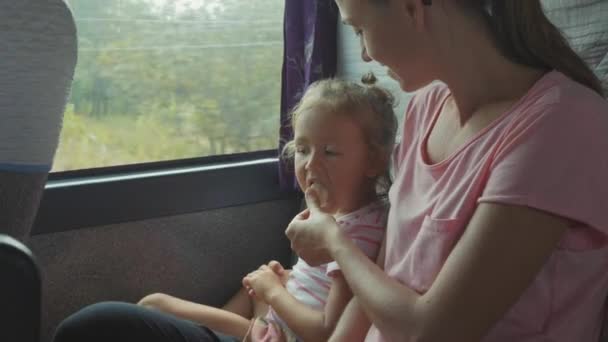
(307, 323)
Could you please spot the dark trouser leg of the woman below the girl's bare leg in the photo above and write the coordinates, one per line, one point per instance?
(124, 322)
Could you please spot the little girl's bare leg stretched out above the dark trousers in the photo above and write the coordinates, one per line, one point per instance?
(213, 318)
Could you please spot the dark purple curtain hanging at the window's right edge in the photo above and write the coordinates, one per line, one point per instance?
(309, 55)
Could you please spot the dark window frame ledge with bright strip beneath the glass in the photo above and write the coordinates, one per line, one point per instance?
(103, 196)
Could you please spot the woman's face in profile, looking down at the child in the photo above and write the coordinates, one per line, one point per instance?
(392, 34)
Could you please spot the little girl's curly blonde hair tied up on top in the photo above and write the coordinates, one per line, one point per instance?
(370, 106)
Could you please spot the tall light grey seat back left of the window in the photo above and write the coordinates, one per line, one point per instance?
(38, 52)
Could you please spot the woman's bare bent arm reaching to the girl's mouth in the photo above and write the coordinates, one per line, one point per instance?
(496, 259)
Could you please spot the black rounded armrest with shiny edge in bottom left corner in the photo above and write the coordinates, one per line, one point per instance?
(20, 292)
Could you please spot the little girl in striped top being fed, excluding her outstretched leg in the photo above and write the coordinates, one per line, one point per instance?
(342, 142)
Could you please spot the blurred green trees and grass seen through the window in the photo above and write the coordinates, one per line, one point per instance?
(172, 79)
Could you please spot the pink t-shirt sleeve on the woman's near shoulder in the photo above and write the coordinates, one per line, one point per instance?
(555, 158)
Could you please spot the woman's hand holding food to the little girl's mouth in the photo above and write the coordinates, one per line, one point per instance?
(313, 233)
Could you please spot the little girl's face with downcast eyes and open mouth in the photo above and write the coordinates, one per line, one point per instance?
(332, 154)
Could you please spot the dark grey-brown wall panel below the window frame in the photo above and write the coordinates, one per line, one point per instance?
(200, 256)
